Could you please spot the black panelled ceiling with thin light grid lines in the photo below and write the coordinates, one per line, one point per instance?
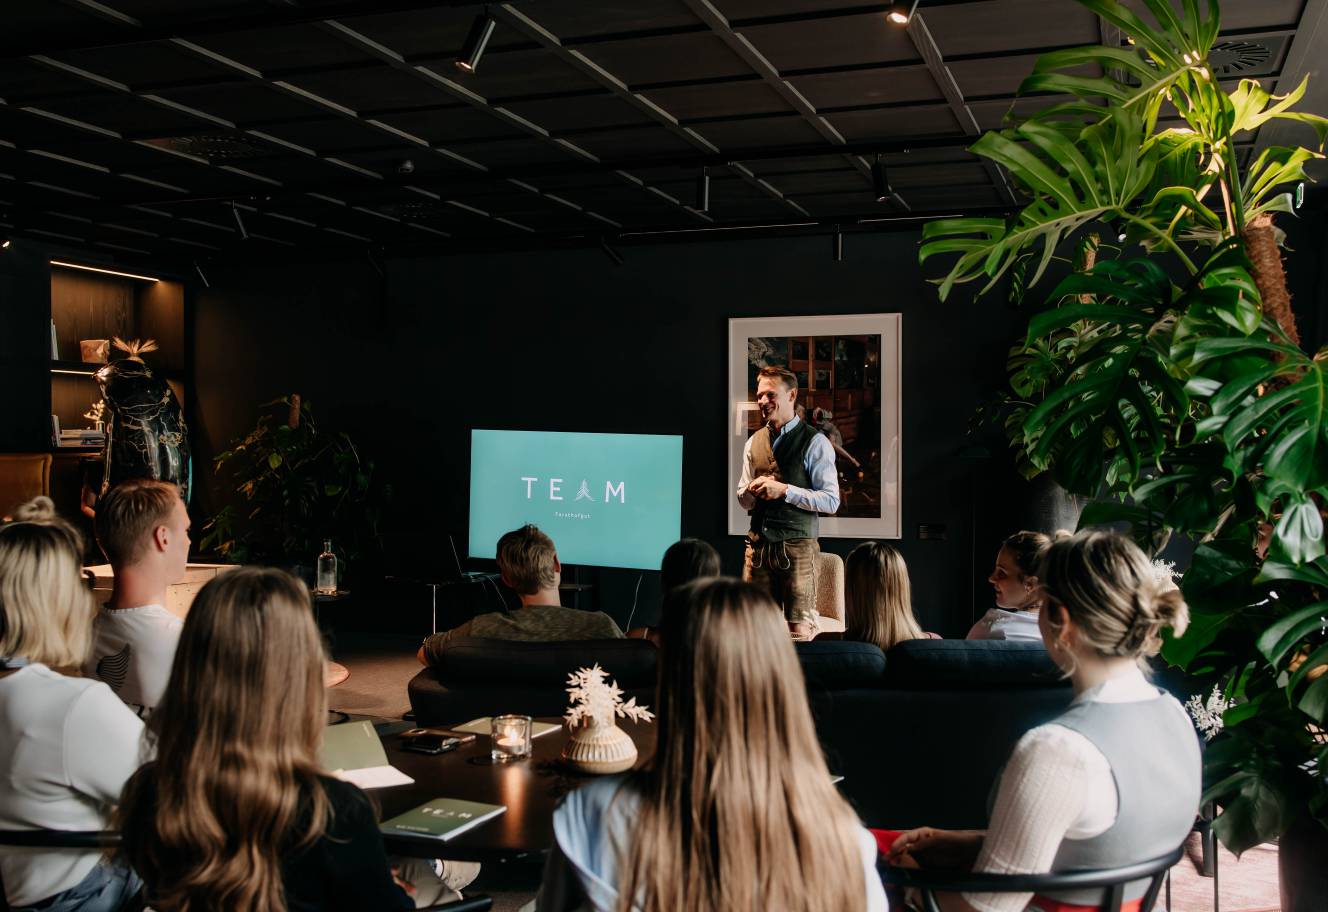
(145, 136)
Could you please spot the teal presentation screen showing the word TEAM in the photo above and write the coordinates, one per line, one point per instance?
(606, 500)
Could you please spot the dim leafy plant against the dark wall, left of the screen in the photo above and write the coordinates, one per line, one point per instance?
(297, 487)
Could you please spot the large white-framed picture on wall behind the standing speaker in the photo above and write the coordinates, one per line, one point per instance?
(750, 338)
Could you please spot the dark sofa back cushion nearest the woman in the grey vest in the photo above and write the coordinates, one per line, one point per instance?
(970, 666)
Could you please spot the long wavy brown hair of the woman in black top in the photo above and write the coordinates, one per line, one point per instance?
(236, 780)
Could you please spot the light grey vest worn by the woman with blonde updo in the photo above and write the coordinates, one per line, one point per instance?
(1155, 759)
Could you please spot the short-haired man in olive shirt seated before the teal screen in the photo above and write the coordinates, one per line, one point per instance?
(529, 565)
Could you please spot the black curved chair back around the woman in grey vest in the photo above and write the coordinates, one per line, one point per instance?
(1111, 881)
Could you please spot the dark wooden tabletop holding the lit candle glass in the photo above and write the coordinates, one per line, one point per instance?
(529, 789)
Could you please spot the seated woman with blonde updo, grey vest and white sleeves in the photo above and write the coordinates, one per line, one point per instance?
(1115, 780)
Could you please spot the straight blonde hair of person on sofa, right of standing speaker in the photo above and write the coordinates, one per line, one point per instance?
(878, 598)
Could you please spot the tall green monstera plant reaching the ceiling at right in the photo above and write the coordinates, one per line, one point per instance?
(1169, 382)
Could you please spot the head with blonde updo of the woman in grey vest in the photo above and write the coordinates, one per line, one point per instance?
(1112, 593)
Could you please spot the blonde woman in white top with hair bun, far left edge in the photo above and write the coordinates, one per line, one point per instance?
(67, 744)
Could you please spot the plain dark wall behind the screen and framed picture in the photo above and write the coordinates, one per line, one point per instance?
(565, 341)
